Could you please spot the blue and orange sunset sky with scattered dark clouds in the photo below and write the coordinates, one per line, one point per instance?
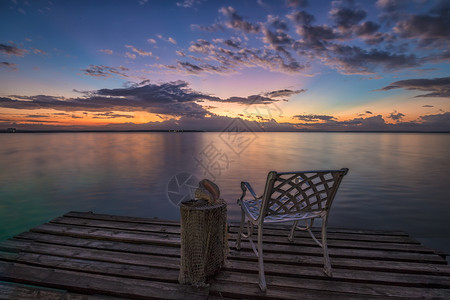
(283, 65)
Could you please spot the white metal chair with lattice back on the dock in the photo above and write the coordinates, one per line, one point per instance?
(290, 197)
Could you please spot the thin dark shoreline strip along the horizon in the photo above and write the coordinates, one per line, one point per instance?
(175, 131)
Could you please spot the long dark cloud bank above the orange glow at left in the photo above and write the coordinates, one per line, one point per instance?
(172, 98)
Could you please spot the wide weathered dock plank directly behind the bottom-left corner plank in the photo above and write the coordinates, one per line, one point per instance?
(79, 282)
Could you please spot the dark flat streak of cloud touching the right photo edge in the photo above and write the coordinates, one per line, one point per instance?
(437, 87)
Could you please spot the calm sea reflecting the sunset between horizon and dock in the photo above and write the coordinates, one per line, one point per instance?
(397, 181)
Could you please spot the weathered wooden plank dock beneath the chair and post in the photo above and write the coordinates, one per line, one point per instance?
(95, 256)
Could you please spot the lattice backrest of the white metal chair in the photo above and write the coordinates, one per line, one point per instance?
(293, 192)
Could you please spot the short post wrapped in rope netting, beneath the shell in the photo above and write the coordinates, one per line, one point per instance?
(204, 244)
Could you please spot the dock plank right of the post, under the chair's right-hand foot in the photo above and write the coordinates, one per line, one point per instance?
(361, 276)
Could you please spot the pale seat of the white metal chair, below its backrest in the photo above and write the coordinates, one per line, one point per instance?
(252, 209)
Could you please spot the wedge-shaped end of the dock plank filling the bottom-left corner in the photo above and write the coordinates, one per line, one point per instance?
(18, 291)
